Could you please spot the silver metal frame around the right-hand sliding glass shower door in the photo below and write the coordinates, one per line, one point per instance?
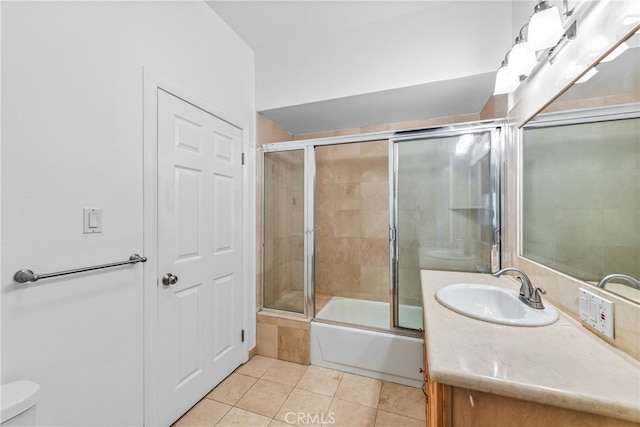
(497, 131)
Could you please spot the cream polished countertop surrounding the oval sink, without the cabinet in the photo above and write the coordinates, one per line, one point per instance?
(562, 364)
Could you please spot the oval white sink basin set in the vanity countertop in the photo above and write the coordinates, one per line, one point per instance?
(493, 304)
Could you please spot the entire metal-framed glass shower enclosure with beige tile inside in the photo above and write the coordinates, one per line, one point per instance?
(354, 219)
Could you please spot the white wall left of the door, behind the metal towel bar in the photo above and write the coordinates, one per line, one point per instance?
(72, 123)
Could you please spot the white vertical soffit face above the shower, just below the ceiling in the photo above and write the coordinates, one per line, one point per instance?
(426, 45)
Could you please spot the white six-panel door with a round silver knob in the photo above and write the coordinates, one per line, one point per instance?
(199, 253)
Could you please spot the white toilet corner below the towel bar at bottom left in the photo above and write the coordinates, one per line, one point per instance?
(19, 401)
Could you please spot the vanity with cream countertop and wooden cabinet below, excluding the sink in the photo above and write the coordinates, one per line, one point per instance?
(479, 373)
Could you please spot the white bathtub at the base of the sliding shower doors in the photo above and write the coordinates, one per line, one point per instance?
(376, 354)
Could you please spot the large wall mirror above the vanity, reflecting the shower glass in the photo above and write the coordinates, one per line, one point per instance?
(580, 168)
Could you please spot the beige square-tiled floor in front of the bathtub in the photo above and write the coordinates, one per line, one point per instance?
(271, 392)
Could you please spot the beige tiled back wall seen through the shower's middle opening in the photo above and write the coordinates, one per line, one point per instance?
(352, 220)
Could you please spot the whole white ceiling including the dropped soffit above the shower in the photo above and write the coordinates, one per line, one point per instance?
(294, 34)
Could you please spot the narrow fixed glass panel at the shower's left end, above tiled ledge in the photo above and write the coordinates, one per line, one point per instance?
(283, 267)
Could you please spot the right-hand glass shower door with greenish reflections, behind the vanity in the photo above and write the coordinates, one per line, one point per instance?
(445, 210)
